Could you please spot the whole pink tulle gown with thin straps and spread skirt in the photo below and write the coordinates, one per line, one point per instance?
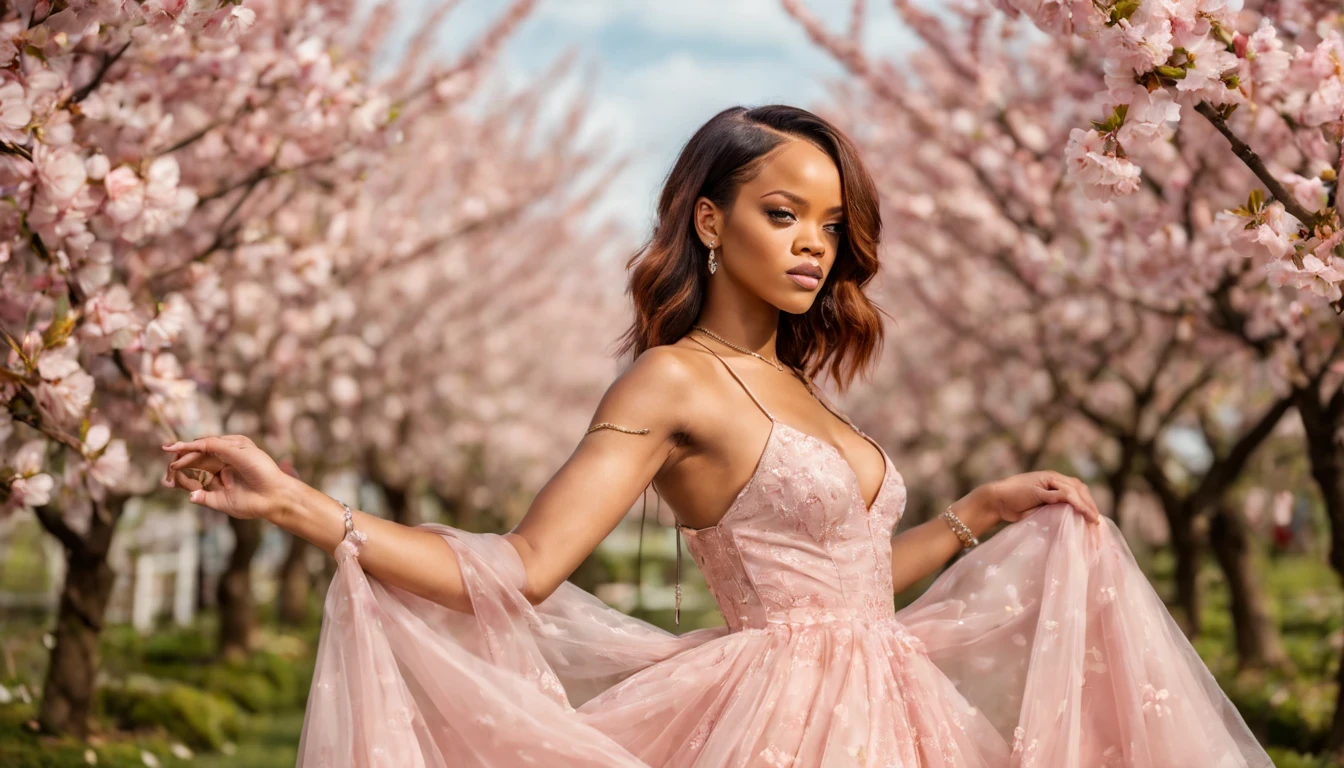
(1045, 648)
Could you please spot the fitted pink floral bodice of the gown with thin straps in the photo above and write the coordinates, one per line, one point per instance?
(799, 544)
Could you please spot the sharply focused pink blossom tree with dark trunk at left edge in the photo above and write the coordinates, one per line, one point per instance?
(91, 381)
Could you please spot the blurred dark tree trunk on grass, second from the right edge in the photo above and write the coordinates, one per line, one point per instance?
(1257, 638)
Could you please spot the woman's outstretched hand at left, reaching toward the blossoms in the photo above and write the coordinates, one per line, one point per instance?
(244, 482)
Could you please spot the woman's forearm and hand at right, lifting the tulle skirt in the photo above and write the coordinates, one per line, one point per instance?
(924, 549)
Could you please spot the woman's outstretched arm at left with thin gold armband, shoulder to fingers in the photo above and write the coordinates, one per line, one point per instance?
(572, 514)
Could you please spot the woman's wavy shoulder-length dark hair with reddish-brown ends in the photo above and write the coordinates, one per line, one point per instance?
(670, 272)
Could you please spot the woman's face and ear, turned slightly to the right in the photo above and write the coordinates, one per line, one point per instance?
(788, 217)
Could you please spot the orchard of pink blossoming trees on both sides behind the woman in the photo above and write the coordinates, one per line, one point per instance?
(1114, 247)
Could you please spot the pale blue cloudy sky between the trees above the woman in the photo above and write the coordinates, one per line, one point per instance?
(663, 69)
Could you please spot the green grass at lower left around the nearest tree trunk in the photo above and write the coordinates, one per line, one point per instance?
(167, 689)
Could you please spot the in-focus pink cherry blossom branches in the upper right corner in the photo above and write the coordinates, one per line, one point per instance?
(1267, 80)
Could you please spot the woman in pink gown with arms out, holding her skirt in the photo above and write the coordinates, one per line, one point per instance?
(1045, 646)
